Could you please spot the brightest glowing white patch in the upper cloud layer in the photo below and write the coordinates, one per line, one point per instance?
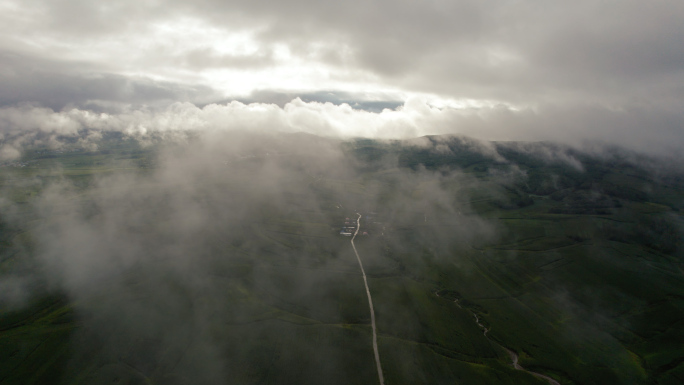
(284, 70)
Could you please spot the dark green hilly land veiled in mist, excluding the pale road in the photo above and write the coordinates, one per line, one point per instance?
(216, 257)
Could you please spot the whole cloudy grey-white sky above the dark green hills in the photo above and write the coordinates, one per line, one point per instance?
(601, 71)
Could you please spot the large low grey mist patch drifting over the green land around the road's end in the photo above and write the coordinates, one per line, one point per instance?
(157, 265)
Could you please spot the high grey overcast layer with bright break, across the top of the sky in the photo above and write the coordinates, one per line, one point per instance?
(612, 52)
